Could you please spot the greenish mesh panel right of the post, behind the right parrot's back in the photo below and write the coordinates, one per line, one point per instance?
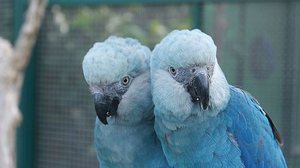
(259, 52)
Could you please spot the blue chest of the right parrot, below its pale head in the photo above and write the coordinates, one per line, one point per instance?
(207, 144)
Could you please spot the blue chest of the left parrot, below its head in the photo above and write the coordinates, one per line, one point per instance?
(127, 146)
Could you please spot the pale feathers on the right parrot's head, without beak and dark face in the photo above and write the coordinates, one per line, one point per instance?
(183, 49)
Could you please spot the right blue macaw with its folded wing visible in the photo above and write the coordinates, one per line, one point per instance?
(200, 119)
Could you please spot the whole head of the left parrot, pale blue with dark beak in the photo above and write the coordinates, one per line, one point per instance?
(117, 72)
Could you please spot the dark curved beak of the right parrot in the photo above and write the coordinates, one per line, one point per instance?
(198, 88)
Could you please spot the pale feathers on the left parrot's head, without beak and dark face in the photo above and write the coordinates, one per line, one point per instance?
(108, 62)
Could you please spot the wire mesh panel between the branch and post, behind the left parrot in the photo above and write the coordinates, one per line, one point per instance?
(64, 109)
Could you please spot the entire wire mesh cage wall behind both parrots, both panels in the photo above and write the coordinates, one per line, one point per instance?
(258, 50)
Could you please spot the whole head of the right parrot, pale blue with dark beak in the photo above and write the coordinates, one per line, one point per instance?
(186, 77)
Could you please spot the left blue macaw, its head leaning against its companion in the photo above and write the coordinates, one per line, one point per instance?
(118, 74)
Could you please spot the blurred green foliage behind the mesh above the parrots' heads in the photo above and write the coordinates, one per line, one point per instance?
(126, 21)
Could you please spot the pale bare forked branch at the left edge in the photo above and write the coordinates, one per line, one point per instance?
(12, 64)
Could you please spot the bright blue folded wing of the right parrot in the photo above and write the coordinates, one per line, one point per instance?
(252, 130)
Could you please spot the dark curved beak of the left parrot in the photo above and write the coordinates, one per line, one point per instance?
(105, 106)
